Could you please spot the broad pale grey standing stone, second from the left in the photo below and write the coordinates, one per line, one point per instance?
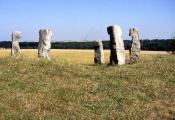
(44, 43)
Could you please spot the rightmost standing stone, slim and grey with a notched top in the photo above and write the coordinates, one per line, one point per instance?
(135, 48)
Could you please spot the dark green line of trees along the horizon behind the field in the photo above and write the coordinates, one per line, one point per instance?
(153, 45)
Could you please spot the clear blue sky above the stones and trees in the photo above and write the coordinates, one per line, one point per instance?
(86, 19)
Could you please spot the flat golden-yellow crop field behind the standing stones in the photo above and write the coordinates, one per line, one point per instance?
(74, 55)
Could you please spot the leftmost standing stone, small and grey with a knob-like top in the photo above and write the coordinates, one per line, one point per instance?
(15, 44)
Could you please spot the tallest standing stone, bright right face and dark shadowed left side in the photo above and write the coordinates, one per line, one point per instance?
(117, 55)
